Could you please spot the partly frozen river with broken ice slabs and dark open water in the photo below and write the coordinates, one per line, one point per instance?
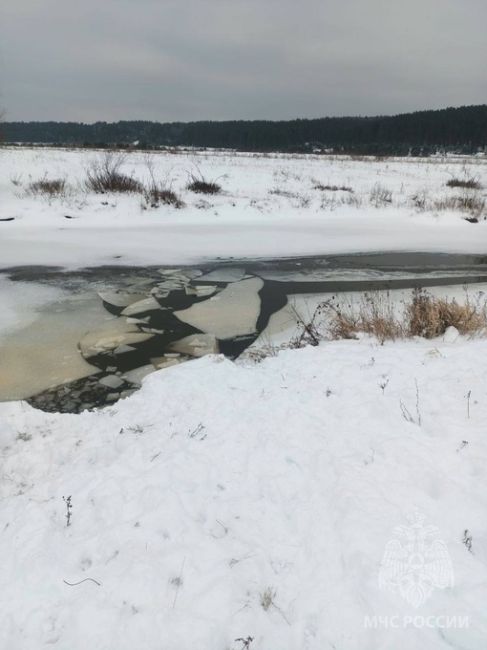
(76, 340)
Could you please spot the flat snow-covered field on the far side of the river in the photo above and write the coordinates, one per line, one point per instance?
(269, 207)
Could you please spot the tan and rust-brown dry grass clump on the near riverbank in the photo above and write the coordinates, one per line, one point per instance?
(424, 315)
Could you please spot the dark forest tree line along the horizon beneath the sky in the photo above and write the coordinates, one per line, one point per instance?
(463, 130)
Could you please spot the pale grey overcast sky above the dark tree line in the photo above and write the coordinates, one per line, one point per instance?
(166, 60)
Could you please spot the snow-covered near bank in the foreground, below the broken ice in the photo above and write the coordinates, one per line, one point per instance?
(224, 501)
